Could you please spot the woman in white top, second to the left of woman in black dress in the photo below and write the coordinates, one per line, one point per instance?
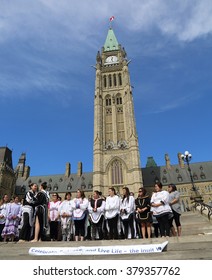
(112, 213)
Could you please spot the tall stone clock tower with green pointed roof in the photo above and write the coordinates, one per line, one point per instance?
(116, 158)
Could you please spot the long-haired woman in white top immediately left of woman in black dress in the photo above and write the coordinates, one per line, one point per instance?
(127, 209)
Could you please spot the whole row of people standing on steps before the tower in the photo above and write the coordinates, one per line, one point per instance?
(45, 218)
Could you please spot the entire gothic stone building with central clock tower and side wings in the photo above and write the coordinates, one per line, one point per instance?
(116, 158)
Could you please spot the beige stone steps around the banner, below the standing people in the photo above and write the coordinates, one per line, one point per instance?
(194, 244)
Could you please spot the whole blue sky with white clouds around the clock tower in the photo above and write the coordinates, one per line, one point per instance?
(47, 82)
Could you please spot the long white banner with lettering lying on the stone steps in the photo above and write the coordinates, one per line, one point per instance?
(99, 250)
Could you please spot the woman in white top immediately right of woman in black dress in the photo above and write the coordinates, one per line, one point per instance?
(161, 209)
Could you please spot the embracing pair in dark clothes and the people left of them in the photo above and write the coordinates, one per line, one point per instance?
(24, 220)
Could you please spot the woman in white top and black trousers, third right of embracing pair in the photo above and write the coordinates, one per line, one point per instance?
(80, 206)
